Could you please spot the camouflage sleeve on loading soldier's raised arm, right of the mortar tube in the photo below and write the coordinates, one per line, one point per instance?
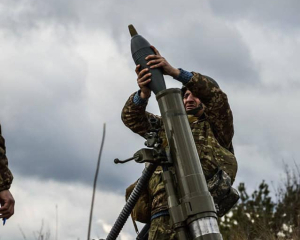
(217, 109)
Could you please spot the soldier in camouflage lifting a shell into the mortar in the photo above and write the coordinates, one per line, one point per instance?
(211, 122)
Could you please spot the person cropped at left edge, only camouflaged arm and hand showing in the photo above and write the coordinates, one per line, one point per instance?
(6, 199)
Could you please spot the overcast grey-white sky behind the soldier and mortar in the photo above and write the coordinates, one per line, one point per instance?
(66, 69)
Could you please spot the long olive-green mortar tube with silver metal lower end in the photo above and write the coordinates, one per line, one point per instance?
(196, 204)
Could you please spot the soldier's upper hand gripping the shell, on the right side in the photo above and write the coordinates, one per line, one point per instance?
(157, 61)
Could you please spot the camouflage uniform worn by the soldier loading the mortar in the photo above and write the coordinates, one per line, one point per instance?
(212, 132)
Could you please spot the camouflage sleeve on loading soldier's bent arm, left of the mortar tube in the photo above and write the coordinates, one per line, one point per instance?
(136, 117)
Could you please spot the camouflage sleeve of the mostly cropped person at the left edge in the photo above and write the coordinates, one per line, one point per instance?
(6, 176)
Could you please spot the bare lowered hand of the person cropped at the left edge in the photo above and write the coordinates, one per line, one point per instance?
(7, 204)
